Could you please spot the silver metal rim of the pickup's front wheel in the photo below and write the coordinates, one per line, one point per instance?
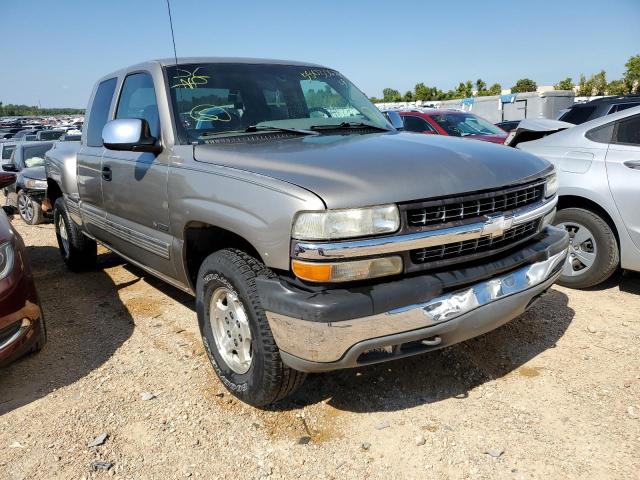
(230, 327)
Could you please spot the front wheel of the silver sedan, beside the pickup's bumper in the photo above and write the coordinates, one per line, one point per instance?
(593, 250)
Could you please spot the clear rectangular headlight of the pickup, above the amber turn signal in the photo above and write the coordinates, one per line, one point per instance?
(348, 223)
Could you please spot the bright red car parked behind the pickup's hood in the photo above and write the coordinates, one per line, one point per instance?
(453, 123)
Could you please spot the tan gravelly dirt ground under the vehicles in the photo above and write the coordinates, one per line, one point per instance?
(553, 394)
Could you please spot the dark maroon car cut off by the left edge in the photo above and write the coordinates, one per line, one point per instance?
(22, 328)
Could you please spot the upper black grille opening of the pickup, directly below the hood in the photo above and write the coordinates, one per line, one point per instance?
(470, 206)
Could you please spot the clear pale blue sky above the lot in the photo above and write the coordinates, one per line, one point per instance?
(52, 52)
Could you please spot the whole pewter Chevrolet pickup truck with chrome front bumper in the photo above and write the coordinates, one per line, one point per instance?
(313, 234)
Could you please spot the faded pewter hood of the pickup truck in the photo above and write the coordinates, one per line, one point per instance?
(357, 170)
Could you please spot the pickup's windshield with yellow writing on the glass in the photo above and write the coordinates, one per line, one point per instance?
(219, 99)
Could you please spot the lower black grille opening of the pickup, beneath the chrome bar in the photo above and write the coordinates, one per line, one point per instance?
(461, 250)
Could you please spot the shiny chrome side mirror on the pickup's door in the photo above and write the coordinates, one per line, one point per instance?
(129, 134)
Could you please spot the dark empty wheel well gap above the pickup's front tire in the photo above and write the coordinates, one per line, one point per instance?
(201, 240)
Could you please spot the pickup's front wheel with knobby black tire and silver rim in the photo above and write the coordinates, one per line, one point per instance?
(235, 330)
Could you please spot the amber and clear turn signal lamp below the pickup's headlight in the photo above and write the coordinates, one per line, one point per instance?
(347, 271)
